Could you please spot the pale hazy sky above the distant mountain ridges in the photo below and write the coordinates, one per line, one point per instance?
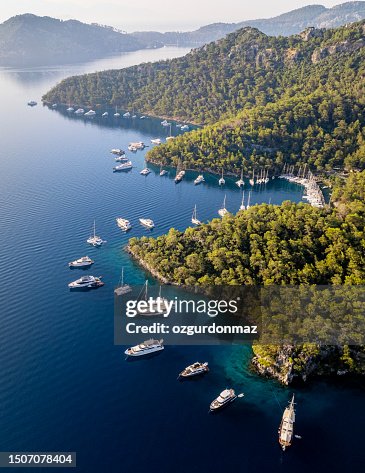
(160, 15)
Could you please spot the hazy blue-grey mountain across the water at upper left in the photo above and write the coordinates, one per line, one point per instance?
(27, 40)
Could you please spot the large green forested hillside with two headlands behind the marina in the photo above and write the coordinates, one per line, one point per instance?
(265, 100)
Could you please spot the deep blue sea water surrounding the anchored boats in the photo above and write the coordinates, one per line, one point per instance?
(63, 384)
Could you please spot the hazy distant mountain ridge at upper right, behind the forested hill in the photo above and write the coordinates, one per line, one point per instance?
(286, 24)
